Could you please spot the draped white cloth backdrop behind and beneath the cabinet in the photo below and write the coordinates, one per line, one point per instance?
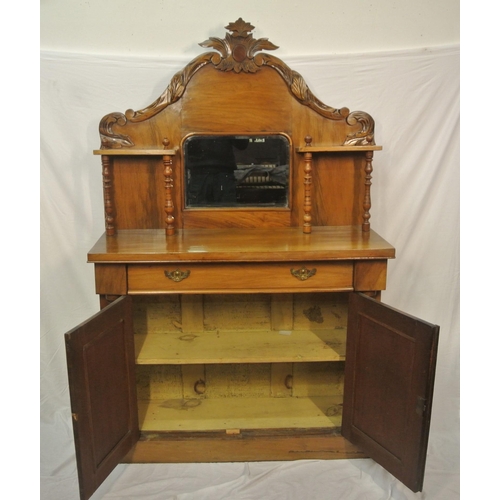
(414, 99)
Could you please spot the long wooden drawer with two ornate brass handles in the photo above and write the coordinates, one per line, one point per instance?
(243, 278)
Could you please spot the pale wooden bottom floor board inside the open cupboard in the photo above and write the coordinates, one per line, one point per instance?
(240, 413)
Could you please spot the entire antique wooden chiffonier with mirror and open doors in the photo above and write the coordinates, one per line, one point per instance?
(240, 283)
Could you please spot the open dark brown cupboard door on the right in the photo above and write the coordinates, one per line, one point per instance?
(389, 379)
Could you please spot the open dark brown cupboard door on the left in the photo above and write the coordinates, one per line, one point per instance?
(100, 355)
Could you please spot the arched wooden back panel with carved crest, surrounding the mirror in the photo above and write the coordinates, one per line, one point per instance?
(237, 91)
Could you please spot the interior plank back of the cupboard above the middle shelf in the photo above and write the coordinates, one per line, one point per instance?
(302, 311)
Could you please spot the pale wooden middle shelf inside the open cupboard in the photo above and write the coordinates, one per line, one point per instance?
(240, 347)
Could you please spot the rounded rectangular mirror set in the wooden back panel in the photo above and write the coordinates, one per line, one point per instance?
(236, 171)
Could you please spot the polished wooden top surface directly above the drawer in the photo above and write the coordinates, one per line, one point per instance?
(241, 245)
